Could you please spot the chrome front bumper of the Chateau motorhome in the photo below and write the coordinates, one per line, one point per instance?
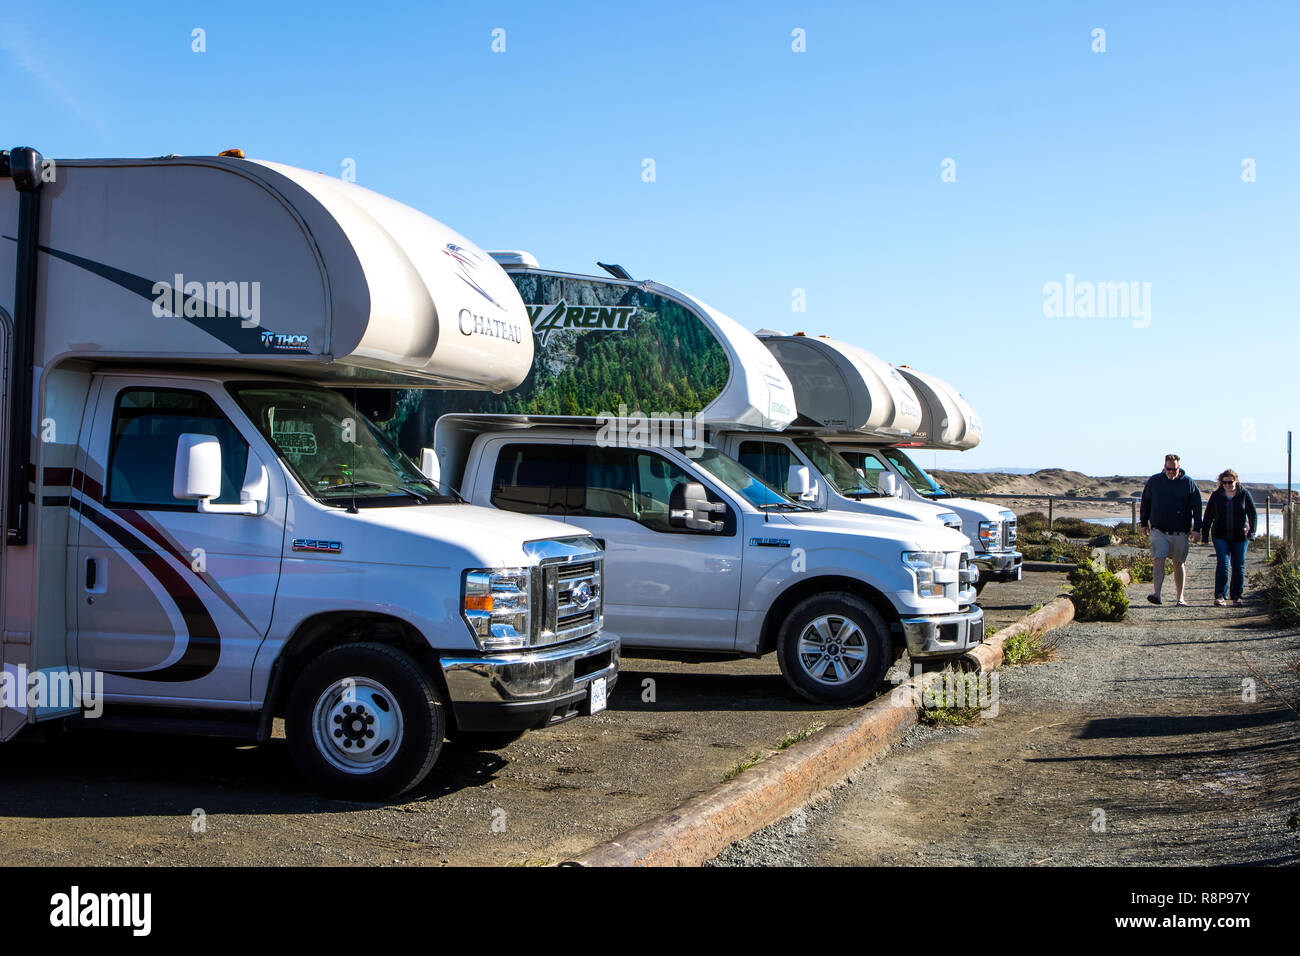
(528, 690)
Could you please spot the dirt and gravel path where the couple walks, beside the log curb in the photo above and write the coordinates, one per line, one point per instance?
(1134, 747)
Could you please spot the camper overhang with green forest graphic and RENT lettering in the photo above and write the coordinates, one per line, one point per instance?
(609, 344)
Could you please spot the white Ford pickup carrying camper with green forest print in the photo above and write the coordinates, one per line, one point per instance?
(703, 556)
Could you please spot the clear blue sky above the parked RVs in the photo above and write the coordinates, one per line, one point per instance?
(779, 171)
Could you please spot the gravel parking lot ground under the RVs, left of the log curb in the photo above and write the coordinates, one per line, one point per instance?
(128, 801)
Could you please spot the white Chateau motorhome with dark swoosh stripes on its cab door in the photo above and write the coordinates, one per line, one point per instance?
(200, 517)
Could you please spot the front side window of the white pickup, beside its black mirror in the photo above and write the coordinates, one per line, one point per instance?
(634, 485)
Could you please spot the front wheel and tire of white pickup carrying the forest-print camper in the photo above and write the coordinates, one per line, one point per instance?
(850, 685)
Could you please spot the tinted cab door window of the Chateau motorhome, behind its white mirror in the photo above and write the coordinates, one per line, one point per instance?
(142, 449)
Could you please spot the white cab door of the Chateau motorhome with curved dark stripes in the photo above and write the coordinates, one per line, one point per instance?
(172, 603)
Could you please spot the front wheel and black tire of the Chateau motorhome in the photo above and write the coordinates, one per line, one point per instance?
(405, 707)
